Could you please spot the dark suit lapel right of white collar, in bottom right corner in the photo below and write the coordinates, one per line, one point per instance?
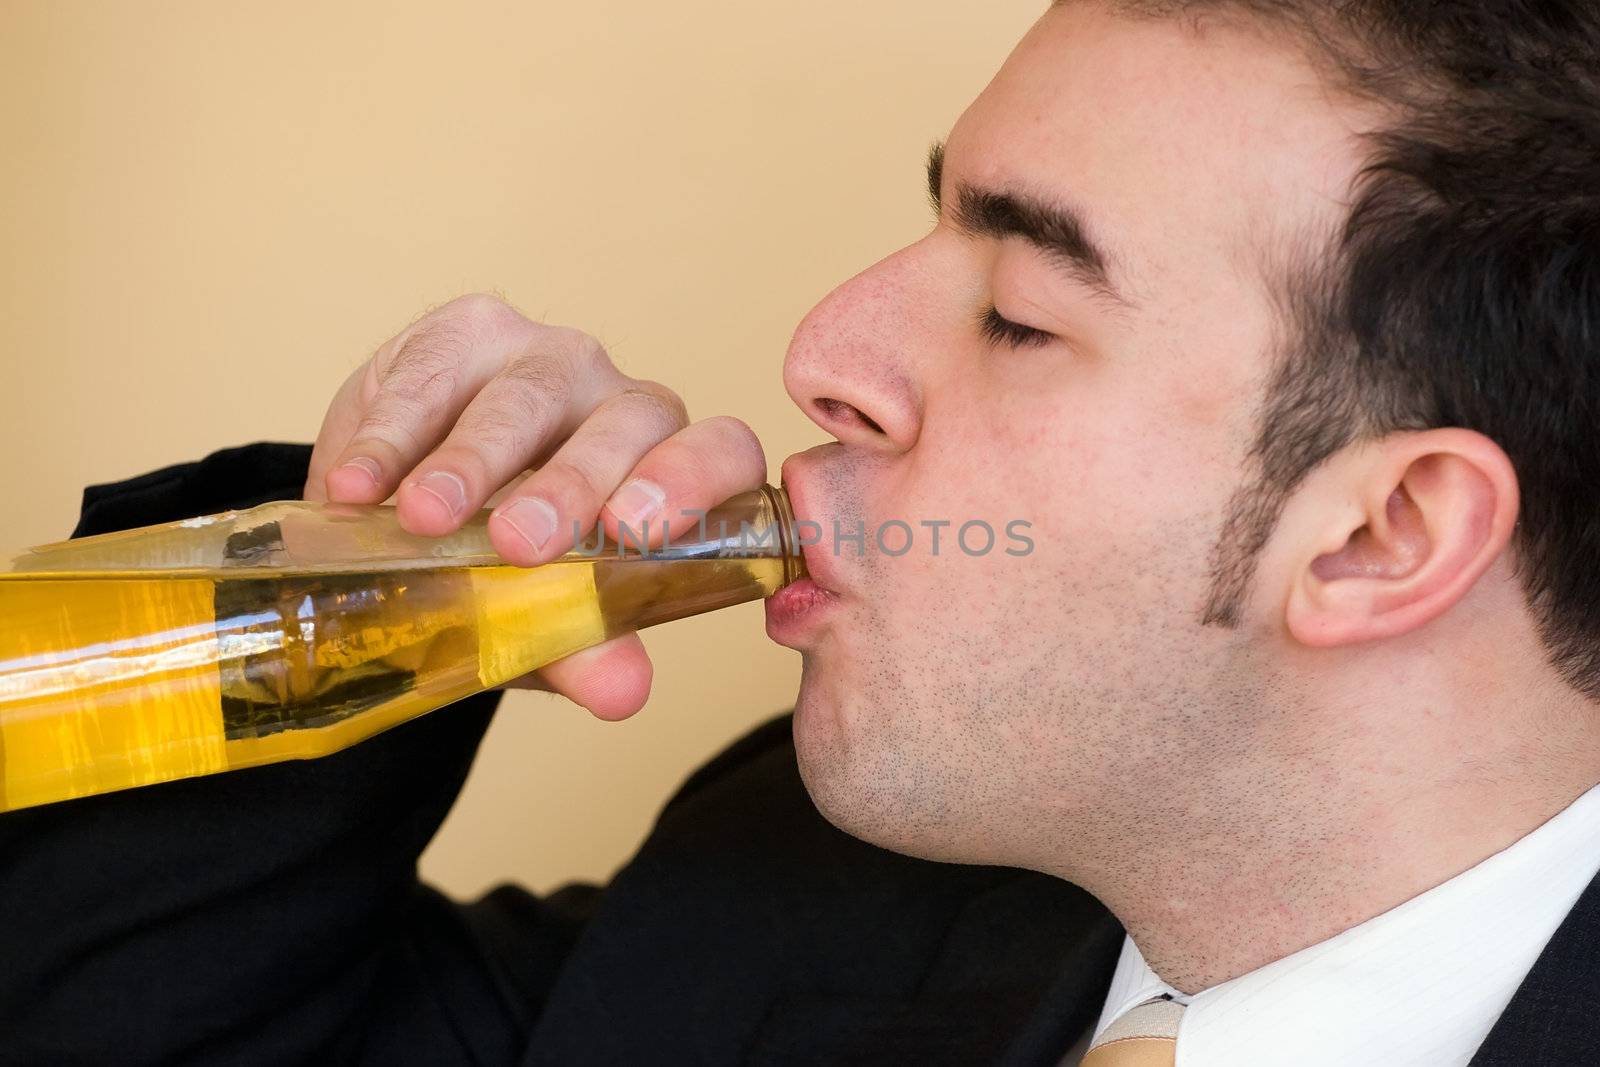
(1553, 1018)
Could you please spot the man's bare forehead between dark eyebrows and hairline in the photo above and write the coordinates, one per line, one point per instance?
(1191, 148)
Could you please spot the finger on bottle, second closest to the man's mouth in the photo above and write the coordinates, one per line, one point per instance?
(553, 508)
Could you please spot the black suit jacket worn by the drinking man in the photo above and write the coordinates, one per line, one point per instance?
(274, 916)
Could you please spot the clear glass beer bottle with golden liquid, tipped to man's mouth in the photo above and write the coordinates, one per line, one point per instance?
(294, 629)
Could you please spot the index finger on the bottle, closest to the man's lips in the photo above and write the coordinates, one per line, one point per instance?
(692, 471)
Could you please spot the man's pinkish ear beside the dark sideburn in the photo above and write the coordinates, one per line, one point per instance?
(1422, 519)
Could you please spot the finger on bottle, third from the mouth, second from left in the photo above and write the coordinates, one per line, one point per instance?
(522, 415)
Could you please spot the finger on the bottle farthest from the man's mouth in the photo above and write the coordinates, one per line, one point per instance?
(414, 391)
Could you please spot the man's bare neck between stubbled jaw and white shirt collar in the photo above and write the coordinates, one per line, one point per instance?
(1318, 836)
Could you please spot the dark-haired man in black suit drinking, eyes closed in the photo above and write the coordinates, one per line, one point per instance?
(1276, 321)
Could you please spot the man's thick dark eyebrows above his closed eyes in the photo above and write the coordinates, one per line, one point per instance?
(1055, 230)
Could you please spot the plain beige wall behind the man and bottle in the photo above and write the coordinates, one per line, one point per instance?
(212, 212)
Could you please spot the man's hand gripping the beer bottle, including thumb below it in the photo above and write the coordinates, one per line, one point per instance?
(454, 412)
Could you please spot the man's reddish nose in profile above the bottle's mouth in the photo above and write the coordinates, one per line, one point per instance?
(852, 366)
